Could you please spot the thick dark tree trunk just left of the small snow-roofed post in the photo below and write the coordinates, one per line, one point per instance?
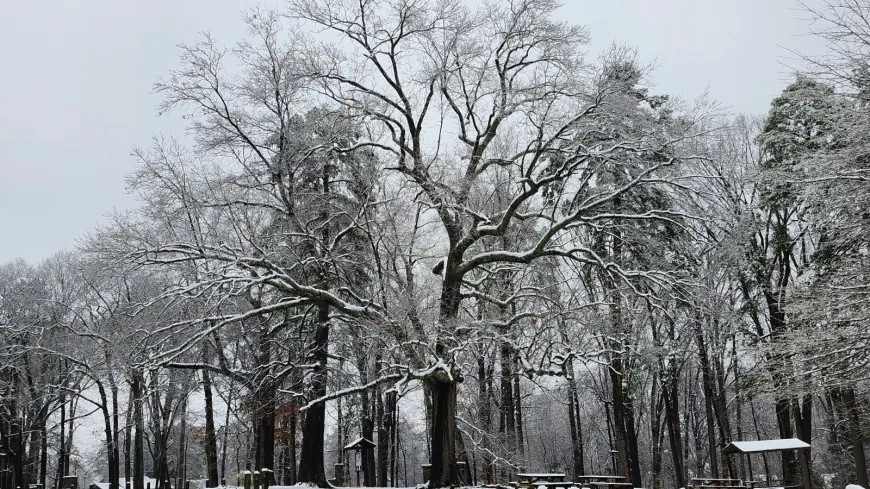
(311, 469)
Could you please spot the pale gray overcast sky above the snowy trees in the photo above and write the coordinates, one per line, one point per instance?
(75, 91)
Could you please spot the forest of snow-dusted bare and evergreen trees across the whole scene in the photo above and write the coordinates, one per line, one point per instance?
(449, 231)
